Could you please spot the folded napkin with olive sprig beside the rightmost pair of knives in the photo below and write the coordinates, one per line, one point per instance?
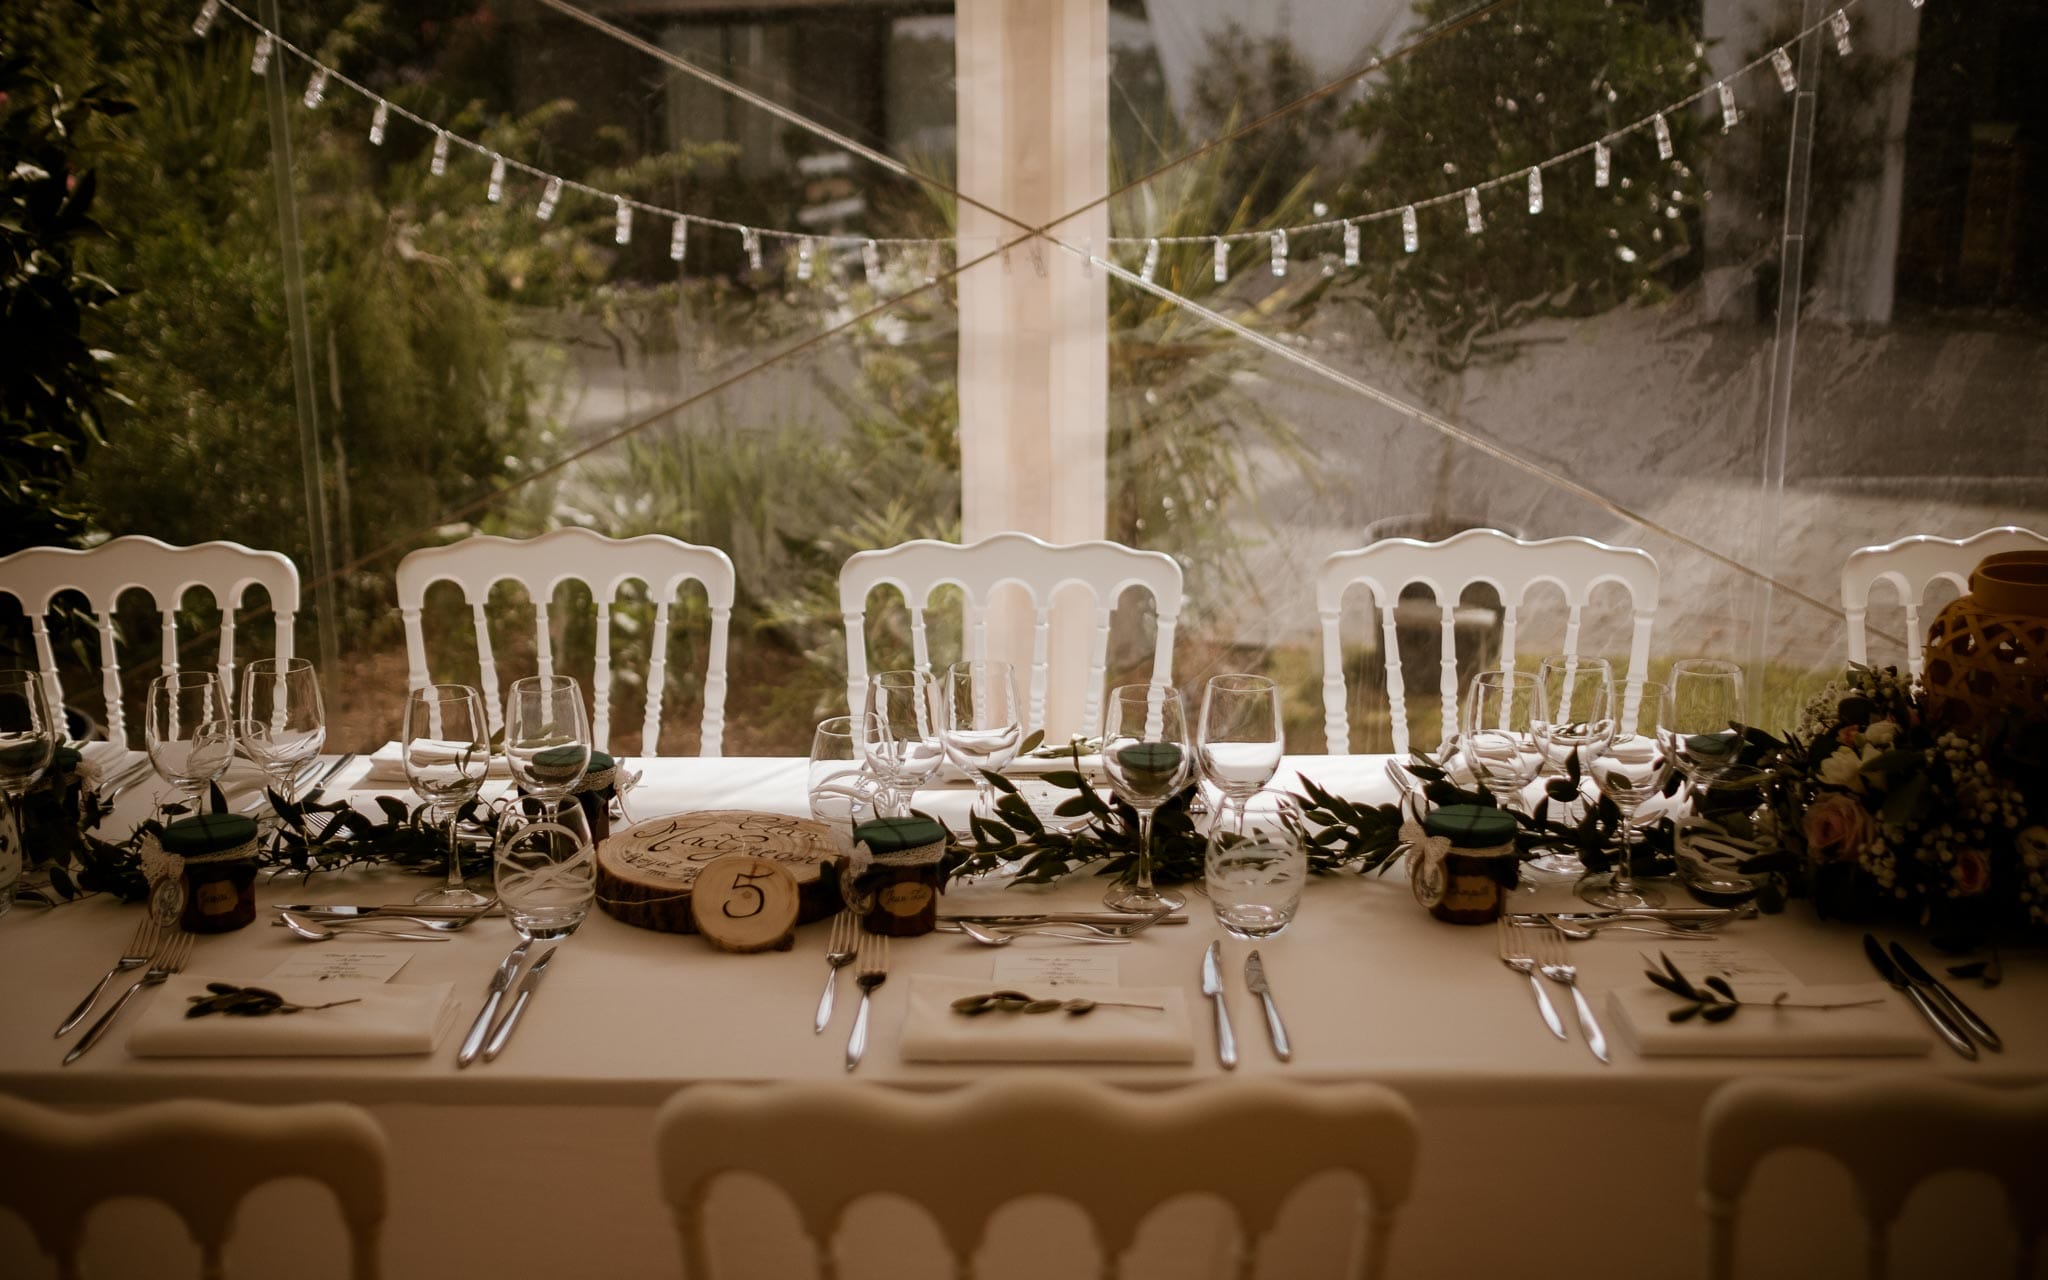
(1889, 1029)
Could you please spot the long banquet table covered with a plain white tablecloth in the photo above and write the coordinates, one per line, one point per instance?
(1535, 1156)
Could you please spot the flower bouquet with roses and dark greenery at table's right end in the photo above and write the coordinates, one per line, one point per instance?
(1883, 812)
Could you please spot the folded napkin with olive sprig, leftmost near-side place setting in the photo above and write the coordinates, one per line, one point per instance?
(386, 1021)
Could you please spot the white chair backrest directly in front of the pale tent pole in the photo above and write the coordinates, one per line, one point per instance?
(1011, 558)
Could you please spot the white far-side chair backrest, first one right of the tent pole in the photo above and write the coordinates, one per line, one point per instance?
(1512, 566)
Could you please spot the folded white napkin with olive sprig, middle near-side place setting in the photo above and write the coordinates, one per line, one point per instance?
(933, 1033)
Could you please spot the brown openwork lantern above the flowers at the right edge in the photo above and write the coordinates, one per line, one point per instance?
(1988, 652)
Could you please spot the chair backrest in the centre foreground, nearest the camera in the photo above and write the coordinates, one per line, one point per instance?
(1115, 1154)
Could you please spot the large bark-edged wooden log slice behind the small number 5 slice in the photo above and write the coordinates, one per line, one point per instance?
(648, 871)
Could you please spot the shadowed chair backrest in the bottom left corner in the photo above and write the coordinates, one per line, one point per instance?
(200, 1158)
